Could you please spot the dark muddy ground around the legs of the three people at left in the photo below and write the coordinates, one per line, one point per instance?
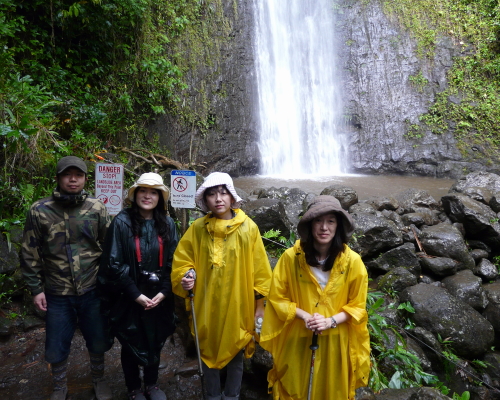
(25, 375)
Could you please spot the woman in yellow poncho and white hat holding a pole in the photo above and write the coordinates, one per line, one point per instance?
(224, 254)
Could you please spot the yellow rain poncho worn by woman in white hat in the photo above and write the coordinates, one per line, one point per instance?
(231, 263)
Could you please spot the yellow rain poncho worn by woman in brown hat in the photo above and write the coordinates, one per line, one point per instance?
(343, 358)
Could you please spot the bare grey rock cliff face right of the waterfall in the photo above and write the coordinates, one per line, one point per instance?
(380, 62)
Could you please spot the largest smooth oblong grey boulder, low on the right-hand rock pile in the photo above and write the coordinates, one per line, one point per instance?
(441, 313)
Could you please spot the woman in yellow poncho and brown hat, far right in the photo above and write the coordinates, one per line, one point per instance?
(319, 286)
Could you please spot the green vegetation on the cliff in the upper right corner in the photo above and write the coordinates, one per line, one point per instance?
(470, 105)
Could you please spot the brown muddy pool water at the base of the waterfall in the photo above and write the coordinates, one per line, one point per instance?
(364, 185)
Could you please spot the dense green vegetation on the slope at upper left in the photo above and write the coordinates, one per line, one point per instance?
(79, 76)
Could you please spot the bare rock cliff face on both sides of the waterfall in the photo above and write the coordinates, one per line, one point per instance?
(382, 95)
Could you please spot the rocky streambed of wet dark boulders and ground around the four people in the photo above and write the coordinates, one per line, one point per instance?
(438, 255)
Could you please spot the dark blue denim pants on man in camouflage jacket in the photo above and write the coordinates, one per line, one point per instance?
(63, 315)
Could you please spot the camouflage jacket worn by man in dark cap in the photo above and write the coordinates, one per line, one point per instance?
(62, 244)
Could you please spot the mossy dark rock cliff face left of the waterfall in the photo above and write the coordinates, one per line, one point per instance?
(222, 91)
